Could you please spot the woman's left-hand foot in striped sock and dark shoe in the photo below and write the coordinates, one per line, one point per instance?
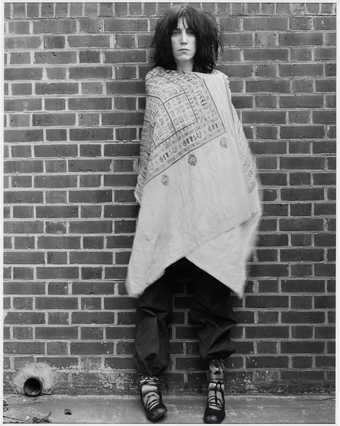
(151, 398)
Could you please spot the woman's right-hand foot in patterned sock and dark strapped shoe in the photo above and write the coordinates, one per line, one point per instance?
(215, 408)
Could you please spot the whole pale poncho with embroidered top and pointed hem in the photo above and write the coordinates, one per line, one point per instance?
(197, 185)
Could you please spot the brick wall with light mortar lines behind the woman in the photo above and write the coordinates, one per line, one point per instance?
(74, 99)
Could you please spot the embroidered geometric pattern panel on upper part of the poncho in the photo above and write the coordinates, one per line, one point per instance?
(181, 117)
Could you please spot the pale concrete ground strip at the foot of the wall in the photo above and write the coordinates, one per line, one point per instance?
(241, 409)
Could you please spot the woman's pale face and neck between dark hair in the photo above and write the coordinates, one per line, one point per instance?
(183, 42)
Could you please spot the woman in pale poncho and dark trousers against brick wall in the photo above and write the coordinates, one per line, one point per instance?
(199, 204)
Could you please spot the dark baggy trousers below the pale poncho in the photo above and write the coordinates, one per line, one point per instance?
(210, 311)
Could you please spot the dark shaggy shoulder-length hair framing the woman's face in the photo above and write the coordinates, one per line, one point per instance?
(203, 25)
